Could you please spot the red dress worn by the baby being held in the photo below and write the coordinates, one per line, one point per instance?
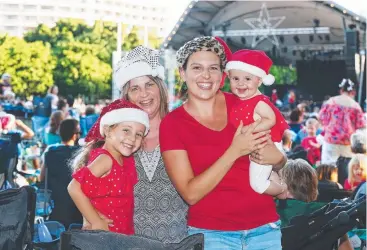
(244, 110)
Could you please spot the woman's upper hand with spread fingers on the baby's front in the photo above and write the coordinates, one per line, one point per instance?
(245, 141)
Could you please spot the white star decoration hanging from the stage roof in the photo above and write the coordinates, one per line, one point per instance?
(265, 23)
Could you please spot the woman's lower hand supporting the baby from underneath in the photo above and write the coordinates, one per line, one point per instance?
(269, 155)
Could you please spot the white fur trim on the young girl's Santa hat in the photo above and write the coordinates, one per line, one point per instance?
(124, 115)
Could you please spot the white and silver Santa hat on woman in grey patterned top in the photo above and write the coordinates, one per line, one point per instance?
(140, 61)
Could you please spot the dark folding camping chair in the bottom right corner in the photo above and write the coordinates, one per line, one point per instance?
(322, 229)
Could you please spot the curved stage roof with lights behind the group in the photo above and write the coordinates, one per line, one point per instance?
(296, 25)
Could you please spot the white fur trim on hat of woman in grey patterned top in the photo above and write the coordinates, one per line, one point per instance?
(137, 69)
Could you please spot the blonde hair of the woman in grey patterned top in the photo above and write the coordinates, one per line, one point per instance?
(163, 106)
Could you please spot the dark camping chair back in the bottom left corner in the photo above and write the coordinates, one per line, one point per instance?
(17, 208)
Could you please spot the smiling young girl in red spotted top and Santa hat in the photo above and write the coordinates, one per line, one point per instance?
(104, 172)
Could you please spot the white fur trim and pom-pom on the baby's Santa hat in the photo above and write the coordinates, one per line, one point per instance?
(266, 79)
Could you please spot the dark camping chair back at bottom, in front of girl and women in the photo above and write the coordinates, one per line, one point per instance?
(96, 240)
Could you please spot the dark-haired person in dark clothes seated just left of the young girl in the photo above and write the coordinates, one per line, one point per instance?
(56, 160)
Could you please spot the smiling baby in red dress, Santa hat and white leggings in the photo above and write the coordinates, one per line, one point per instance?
(247, 69)
